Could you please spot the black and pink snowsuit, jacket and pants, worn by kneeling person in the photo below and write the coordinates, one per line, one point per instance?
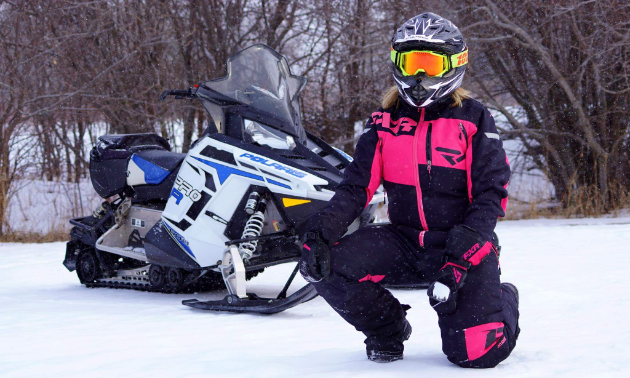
(441, 166)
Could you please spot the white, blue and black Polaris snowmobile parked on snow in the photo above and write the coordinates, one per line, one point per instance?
(224, 211)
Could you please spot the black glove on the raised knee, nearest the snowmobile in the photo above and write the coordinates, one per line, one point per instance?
(315, 261)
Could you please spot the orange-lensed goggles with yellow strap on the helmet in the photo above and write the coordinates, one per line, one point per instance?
(433, 64)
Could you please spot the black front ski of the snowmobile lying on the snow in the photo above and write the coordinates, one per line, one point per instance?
(253, 304)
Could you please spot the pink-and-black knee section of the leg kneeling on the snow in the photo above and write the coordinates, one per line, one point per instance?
(482, 346)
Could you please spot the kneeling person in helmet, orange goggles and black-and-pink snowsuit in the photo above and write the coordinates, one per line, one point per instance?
(442, 163)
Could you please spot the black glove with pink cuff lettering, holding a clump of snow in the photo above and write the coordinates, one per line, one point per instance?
(465, 248)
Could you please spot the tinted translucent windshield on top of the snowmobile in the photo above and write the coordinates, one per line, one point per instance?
(260, 78)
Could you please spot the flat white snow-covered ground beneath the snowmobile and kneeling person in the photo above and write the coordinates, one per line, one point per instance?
(575, 306)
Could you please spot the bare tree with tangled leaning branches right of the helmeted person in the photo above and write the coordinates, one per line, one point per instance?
(566, 65)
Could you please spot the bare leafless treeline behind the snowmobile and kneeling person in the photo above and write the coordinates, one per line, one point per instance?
(557, 72)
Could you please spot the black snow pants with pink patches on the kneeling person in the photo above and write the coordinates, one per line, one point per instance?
(480, 333)
